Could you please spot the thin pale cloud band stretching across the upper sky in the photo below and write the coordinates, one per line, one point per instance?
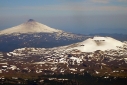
(69, 9)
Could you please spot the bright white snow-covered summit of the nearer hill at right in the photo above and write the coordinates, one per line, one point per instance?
(97, 43)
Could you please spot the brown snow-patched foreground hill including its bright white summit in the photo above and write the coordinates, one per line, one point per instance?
(104, 63)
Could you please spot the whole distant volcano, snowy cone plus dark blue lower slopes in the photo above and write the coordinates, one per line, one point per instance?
(35, 34)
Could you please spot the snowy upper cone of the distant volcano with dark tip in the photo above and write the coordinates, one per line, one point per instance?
(31, 26)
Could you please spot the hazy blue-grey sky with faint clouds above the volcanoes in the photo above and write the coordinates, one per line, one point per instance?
(78, 16)
